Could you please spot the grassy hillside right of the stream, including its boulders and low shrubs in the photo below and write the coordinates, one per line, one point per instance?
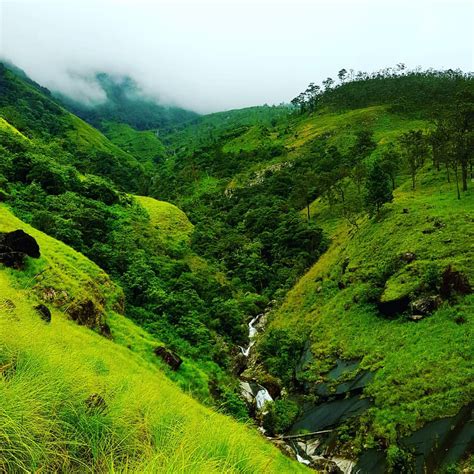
(408, 254)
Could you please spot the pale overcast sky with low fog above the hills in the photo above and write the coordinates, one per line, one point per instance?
(214, 55)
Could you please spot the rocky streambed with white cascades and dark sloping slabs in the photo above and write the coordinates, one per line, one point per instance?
(313, 437)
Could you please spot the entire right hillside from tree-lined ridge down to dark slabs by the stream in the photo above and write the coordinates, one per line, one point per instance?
(372, 345)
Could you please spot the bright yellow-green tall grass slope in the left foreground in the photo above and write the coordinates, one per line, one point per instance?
(146, 425)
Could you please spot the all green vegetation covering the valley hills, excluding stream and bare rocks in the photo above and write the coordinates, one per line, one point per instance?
(350, 213)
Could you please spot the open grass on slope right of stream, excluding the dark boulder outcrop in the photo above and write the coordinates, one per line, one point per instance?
(425, 368)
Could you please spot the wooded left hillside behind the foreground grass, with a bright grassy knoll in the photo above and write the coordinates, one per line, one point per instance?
(170, 290)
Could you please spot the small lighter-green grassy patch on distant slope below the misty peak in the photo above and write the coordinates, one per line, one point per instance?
(143, 145)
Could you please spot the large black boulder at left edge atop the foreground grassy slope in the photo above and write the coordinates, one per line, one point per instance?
(16, 246)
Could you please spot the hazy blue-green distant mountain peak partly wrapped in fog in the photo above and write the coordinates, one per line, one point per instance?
(126, 103)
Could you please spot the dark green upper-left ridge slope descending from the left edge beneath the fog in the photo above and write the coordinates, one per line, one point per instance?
(33, 112)
